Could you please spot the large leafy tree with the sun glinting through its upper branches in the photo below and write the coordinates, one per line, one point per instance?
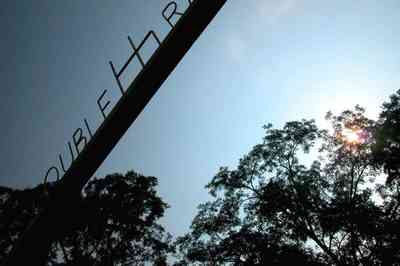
(274, 207)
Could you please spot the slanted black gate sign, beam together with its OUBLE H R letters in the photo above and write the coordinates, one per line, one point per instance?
(93, 148)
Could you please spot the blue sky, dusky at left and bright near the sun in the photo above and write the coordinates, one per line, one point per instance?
(259, 61)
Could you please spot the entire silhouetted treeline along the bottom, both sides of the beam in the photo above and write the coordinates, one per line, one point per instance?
(272, 209)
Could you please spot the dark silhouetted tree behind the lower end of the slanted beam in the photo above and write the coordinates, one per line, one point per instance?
(116, 223)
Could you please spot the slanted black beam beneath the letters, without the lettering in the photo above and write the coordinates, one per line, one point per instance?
(33, 247)
